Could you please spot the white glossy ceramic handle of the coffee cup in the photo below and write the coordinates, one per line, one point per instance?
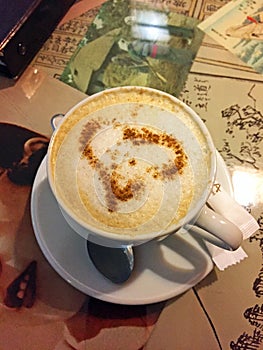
(217, 229)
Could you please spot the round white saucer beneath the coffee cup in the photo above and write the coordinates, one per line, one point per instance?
(162, 269)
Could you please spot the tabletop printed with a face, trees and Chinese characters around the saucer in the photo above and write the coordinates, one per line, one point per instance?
(39, 309)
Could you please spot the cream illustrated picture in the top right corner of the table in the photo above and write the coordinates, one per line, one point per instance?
(238, 26)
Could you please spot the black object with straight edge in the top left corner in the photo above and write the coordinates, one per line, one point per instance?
(25, 26)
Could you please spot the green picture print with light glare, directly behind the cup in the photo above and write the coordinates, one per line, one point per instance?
(130, 43)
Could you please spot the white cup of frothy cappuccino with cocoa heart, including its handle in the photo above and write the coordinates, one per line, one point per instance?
(132, 164)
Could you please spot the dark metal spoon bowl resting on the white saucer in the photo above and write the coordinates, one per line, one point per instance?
(116, 264)
